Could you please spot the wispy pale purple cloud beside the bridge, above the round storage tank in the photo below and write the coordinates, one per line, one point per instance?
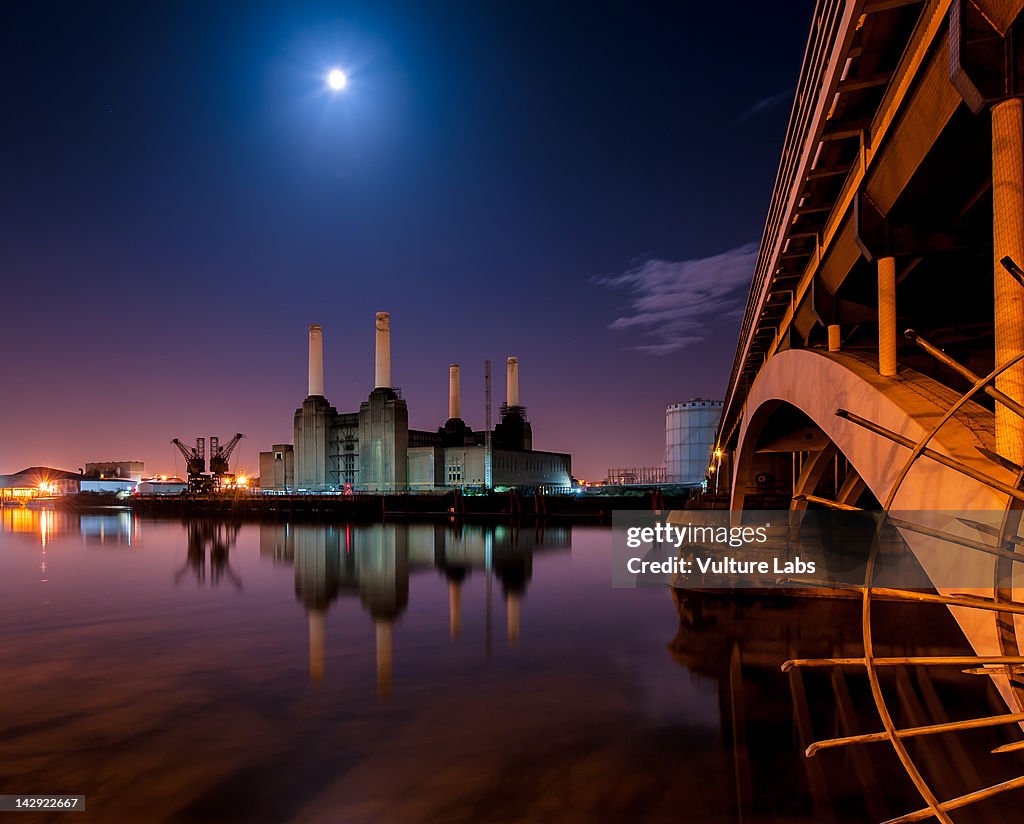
(677, 303)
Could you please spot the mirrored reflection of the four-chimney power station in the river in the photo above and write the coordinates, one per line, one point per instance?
(374, 563)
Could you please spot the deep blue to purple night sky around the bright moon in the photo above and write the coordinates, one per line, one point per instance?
(582, 186)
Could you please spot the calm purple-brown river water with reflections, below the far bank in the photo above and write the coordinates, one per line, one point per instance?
(272, 673)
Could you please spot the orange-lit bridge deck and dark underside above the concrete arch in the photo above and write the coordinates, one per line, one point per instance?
(885, 220)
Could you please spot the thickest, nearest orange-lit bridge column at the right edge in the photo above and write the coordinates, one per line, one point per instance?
(1008, 237)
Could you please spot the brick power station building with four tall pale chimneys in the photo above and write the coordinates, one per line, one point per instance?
(374, 450)
